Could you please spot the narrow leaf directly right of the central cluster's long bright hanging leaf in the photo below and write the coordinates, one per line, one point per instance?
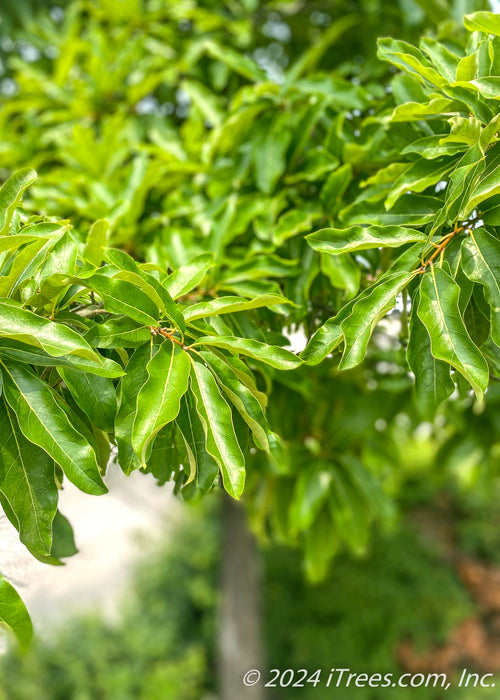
(241, 397)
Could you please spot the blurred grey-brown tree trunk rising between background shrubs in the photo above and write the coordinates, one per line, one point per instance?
(240, 645)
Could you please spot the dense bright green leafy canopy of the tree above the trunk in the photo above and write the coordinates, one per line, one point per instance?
(201, 200)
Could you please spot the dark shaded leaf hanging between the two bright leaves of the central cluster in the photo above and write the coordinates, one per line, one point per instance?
(203, 467)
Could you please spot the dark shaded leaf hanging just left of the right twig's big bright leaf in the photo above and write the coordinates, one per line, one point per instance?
(433, 382)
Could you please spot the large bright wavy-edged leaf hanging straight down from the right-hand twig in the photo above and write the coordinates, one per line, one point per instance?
(439, 311)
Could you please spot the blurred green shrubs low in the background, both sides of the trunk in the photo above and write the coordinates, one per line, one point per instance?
(409, 605)
